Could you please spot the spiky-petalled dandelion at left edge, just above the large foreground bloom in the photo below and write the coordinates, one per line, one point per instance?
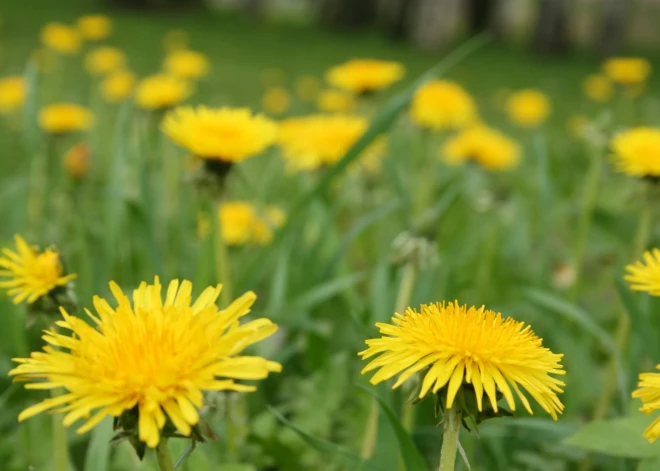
(31, 274)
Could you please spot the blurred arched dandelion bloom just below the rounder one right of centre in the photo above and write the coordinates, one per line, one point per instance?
(488, 147)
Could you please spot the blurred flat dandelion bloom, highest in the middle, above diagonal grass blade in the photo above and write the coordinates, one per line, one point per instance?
(365, 75)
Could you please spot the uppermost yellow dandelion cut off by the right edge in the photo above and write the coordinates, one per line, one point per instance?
(637, 152)
